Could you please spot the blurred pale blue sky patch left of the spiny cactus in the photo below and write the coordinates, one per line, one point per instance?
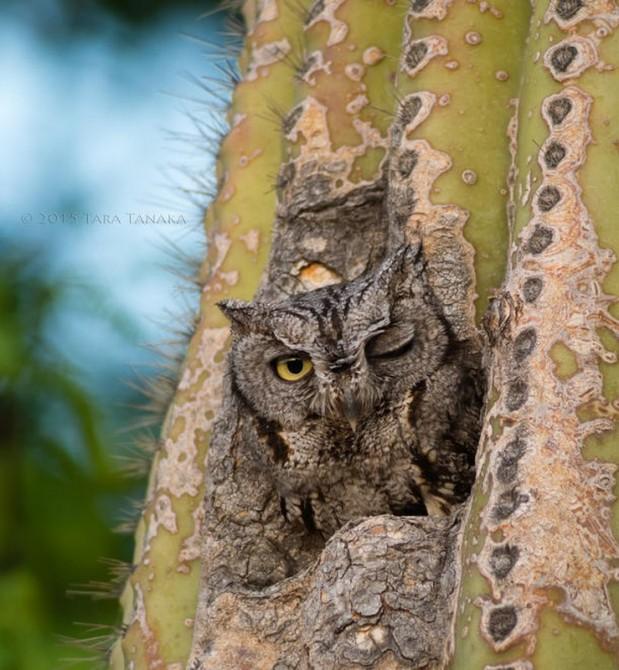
(93, 124)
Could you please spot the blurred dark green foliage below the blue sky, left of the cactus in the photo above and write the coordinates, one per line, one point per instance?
(61, 491)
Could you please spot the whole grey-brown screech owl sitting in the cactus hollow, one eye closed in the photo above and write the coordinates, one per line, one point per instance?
(361, 399)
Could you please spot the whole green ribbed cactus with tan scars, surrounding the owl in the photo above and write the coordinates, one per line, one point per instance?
(488, 129)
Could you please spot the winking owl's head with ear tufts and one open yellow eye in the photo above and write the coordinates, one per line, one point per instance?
(342, 351)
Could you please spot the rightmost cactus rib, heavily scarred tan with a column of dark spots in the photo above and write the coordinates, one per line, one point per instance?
(539, 545)
